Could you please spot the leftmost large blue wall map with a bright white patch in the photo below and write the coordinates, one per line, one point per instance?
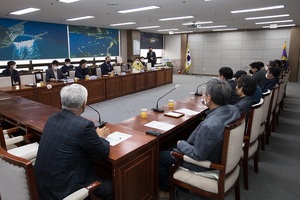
(27, 40)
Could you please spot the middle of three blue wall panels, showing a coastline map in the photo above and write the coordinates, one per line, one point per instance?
(93, 42)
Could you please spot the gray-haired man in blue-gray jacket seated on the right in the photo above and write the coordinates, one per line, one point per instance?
(205, 142)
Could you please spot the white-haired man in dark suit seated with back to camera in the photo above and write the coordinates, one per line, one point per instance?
(63, 163)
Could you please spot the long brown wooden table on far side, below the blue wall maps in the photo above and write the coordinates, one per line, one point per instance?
(99, 89)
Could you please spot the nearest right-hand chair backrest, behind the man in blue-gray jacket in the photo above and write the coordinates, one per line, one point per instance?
(232, 144)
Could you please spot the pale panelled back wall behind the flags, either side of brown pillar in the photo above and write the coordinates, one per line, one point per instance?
(211, 51)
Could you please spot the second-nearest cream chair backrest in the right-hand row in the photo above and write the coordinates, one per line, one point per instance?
(254, 120)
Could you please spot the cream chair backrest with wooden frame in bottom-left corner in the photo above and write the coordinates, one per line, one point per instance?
(17, 178)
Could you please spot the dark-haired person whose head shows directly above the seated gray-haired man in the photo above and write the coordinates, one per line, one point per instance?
(226, 73)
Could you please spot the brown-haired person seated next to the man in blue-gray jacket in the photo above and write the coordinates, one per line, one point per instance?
(245, 89)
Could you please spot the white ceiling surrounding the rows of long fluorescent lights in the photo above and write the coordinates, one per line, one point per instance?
(217, 11)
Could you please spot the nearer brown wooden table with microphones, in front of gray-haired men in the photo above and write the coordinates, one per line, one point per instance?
(133, 163)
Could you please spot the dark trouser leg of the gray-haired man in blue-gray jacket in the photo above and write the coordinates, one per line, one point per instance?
(165, 162)
